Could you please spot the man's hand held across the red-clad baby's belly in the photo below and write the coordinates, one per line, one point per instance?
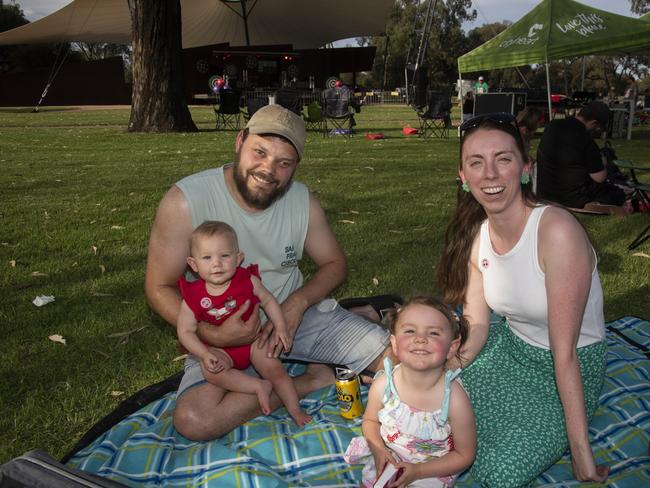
(233, 331)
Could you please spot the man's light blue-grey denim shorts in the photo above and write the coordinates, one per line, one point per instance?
(329, 334)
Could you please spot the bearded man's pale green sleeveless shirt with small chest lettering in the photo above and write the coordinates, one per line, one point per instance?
(273, 238)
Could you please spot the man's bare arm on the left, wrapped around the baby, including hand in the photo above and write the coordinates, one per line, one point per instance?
(169, 247)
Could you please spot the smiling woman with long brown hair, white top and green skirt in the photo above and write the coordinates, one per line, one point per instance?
(534, 380)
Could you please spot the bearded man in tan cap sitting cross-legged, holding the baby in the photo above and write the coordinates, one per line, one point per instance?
(276, 219)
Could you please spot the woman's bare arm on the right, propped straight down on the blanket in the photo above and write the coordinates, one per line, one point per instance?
(568, 280)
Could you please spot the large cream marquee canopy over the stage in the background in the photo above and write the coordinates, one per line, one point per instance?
(306, 24)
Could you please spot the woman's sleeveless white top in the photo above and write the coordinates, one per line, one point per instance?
(514, 287)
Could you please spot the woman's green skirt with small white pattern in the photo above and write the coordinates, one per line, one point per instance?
(519, 417)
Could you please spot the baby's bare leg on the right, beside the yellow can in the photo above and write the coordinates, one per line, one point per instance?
(272, 369)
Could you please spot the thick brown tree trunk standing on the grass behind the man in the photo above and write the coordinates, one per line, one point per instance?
(158, 99)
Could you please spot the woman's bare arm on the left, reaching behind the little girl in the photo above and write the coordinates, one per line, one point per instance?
(477, 313)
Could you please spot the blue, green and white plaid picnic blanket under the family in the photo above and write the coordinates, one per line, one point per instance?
(145, 450)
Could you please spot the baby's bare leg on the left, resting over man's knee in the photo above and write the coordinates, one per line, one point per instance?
(235, 380)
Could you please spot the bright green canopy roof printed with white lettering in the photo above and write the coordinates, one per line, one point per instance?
(558, 29)
